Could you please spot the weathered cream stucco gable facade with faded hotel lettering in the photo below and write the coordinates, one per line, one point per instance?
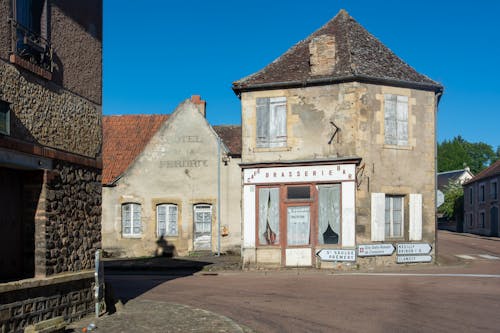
(178, 167)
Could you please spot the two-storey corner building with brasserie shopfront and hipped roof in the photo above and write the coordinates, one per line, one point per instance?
(338, 154)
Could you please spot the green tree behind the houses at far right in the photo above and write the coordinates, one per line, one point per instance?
(457, 153)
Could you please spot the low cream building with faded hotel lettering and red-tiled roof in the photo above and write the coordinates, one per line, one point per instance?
(163, 177)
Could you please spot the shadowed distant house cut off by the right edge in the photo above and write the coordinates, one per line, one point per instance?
(481, 202)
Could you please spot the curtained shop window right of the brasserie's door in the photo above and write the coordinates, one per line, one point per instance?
(329, 214)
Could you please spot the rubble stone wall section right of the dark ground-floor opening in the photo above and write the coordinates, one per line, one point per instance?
(73, 225)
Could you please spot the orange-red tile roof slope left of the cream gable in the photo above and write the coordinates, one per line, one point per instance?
(124, 137)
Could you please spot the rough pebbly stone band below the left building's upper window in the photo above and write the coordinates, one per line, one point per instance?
(50, 116)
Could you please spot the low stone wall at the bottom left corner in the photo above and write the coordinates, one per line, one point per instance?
(33, 301)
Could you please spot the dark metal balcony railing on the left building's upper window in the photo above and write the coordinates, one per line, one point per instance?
(31, 47)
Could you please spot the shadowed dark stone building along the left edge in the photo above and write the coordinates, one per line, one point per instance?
(50, 168)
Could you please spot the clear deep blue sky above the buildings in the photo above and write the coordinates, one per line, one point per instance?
(157, 53)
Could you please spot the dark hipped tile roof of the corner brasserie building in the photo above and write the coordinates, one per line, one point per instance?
(359, 57)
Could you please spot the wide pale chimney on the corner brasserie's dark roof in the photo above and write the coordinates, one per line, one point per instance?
(322, 55)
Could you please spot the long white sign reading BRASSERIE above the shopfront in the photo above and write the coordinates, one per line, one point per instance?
(340, 172)
